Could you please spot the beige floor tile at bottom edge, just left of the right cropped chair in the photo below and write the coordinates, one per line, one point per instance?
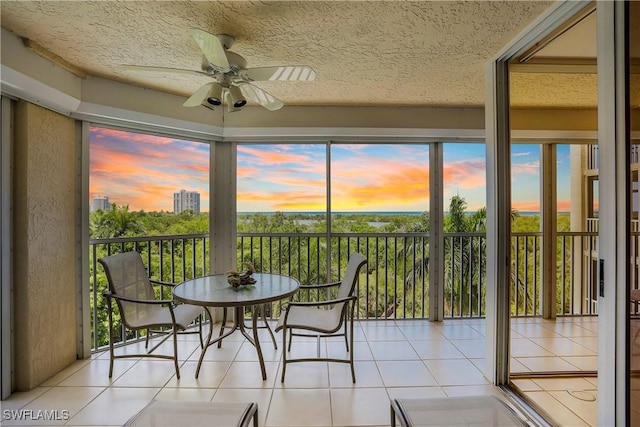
(360, 407)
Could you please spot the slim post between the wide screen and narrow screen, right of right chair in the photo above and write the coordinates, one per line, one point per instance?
(436, 233)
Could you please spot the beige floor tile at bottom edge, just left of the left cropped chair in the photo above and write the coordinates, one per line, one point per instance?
(114, 406)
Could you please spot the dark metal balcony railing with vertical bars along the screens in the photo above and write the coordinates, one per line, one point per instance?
(396, 282)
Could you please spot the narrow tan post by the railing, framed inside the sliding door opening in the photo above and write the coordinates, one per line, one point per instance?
(548, 227)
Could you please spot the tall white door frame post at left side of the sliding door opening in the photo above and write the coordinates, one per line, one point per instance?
(498, 222)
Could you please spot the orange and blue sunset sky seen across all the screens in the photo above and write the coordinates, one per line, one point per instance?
(143, 171)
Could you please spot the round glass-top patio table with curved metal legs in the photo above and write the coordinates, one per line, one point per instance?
(215, 291)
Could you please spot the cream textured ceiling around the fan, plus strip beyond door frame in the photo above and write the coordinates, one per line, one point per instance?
(365, 53)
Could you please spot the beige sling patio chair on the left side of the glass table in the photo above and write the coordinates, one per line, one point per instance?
(134, 294)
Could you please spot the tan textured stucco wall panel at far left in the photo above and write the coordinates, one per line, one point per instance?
(45, 173)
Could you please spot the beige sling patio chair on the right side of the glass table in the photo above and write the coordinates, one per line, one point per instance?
(328, 318)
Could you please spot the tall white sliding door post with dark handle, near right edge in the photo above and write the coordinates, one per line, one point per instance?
(614, 226)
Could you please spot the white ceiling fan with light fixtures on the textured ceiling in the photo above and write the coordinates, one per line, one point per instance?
(232, 80)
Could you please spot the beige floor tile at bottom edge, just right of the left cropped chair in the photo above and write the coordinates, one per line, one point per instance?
(299, 407)
